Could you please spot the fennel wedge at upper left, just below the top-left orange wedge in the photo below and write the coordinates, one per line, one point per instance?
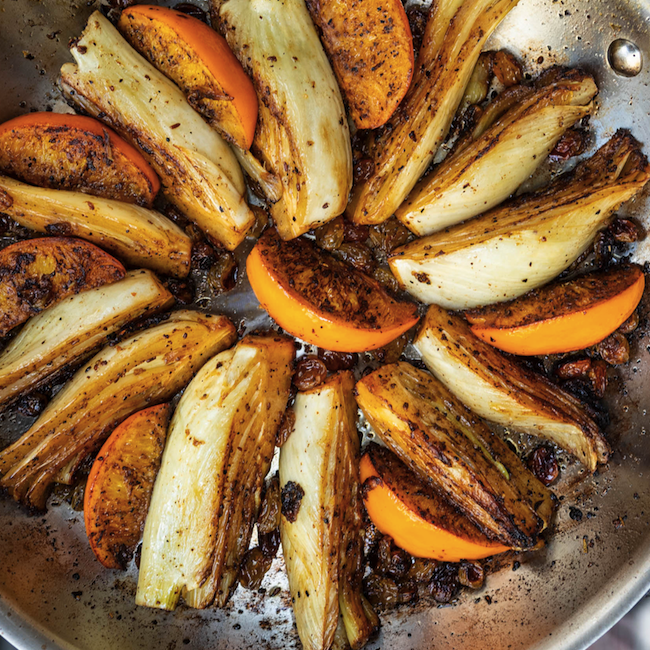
(199, 172)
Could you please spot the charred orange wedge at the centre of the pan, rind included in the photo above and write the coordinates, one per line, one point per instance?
(322, 300)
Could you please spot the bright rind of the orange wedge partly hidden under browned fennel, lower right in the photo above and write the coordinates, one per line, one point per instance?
(411, 532)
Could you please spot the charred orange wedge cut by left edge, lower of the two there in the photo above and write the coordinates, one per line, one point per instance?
(37, 273)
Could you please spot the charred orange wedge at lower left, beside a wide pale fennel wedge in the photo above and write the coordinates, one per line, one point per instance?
(120, 483)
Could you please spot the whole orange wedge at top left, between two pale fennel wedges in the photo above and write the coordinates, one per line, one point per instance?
(200, 63)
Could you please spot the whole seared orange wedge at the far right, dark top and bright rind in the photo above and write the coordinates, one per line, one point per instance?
(562, 317)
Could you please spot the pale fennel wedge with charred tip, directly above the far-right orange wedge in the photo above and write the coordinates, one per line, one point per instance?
(527, 241)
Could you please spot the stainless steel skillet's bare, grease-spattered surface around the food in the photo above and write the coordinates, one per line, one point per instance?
(53, 594)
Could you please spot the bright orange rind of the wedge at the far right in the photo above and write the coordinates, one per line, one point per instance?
(569, 332)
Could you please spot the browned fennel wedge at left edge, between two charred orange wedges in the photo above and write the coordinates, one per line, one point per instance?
(139, 236)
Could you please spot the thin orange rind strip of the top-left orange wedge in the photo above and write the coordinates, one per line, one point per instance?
(213, 50)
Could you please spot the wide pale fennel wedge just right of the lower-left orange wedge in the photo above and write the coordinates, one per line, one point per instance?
(207, 493)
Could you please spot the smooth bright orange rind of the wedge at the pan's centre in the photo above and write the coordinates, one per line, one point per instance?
(301, 319)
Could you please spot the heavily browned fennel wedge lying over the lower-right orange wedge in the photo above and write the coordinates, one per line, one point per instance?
(443, 442)
